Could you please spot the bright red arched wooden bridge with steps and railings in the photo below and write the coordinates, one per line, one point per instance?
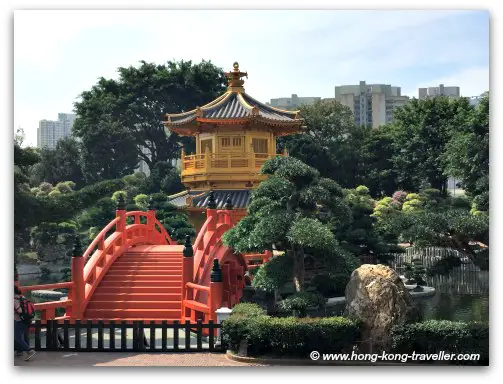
(137, 272)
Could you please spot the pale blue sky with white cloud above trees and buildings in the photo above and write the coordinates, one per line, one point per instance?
(59, 54)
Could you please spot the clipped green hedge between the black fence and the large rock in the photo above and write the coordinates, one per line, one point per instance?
(290, 336)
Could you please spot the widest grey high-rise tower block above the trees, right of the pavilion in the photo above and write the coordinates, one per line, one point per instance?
(371, 104)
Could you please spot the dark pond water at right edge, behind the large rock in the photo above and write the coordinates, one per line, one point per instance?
(461, 296)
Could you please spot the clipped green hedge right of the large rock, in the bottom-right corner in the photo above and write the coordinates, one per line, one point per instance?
(433, 336)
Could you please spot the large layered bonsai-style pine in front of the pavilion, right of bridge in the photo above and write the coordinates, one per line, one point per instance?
(294, 210)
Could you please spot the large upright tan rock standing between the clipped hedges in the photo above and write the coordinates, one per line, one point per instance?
(377, 296)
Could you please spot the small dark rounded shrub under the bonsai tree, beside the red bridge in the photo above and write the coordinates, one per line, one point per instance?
(274, 274)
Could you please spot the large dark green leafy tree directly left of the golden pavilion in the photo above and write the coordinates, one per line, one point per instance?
(119, 120)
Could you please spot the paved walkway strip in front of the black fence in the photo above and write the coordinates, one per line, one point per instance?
(87, 359)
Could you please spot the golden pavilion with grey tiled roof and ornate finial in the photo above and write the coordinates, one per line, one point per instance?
(235, 134)
